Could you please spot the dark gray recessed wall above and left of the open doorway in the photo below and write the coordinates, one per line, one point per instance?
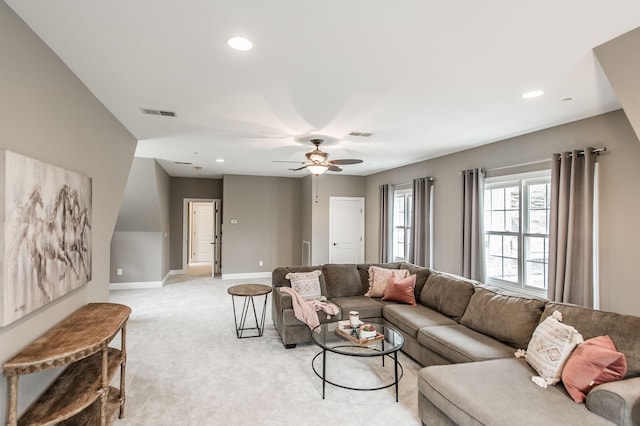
(182, 188)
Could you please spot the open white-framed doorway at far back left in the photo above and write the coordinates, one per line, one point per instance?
(201, 225)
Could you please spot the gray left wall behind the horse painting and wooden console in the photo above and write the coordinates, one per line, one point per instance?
(48, 114)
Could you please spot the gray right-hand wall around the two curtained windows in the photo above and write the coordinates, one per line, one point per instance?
(618, 207)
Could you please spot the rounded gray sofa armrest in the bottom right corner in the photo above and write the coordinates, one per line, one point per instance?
(617, 401)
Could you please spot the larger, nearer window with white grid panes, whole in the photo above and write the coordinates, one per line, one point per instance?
(516, 227)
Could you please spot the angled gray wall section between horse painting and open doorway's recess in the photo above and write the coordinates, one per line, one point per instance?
(140, 242)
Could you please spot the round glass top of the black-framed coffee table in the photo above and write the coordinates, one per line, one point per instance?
(326, 336)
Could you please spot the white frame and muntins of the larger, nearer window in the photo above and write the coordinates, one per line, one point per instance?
(523, 181)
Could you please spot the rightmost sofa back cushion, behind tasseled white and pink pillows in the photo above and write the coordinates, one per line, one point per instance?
(624, 330)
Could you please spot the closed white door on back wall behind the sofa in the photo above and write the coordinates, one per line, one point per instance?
(346, 229)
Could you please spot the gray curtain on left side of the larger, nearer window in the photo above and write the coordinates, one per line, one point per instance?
(472, 229)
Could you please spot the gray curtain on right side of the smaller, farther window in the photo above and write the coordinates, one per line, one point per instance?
(420, 245)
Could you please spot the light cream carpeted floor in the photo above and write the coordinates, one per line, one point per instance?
(185, 366)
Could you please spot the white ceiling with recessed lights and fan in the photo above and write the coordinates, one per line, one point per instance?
(426, 77)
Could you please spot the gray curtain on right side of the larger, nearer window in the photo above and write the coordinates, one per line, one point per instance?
(571, 228)
